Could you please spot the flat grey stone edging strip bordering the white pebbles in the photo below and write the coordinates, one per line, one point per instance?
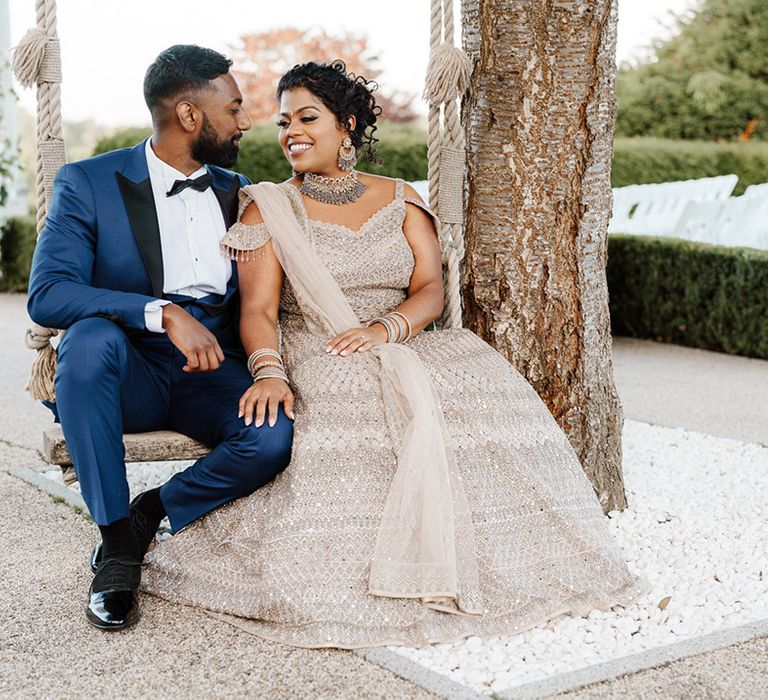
(443, 686)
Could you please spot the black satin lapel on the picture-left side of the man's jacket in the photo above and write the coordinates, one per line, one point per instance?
(142, 215)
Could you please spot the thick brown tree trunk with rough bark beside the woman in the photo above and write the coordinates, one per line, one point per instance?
(539, 122)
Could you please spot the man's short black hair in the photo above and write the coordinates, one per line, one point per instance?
(179, 68)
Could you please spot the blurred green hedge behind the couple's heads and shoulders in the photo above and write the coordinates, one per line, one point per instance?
(402, 151)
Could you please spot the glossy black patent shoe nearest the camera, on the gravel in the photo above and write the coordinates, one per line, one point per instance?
(113, 602)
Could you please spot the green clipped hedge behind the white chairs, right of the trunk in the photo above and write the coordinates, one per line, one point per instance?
(641, 160)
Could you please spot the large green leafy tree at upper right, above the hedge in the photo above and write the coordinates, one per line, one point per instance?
(709, 81)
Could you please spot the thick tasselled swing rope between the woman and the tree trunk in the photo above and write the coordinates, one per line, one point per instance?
(446, 82)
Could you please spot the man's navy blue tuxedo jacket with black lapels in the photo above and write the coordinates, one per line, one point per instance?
(99, 254)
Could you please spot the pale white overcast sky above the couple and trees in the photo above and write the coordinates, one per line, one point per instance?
(107, 44)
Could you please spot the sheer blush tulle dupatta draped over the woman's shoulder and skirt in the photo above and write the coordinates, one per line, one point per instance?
(425, 542)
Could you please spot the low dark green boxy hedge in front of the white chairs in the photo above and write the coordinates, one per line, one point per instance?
(693, 294)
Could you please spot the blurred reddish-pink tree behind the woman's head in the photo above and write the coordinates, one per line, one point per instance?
(260, 60)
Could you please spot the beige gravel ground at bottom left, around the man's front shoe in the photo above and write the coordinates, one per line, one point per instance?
(48, 650)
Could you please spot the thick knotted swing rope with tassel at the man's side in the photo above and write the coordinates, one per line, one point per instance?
(37, 60)
